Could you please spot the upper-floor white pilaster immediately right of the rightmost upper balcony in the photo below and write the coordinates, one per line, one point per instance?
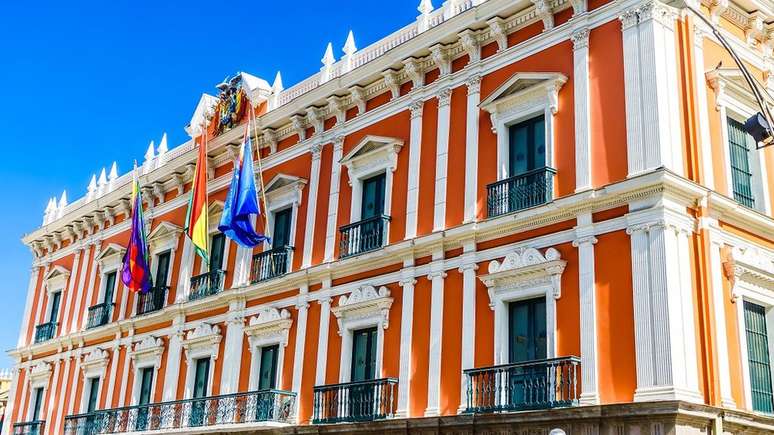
(580, 40)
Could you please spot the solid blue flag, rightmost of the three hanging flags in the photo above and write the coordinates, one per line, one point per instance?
(242, 200)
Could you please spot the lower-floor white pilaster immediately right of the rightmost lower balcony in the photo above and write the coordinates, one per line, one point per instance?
(588, 310)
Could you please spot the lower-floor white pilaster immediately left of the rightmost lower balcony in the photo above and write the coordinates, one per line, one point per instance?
(468, 270)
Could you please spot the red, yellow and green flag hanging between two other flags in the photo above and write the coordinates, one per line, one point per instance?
(196, 222)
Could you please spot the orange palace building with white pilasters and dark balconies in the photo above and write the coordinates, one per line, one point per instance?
(508, 215)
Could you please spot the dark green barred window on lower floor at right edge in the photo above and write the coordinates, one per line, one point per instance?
(758, 356)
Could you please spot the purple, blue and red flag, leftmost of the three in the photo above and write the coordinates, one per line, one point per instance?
(135, 273)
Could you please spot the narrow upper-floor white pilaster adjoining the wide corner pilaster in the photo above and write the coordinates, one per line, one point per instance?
(635, 153)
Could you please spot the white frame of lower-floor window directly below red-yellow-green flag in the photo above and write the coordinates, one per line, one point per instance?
(201, 342)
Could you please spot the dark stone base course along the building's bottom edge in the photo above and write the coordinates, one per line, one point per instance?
(643, 418)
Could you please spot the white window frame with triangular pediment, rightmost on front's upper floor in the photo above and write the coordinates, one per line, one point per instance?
(511, 104)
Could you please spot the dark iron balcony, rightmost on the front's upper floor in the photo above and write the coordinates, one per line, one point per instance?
(525, 190)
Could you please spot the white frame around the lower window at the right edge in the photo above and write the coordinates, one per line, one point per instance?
(753, 281)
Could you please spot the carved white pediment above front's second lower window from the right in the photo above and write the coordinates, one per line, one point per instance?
(365, 302)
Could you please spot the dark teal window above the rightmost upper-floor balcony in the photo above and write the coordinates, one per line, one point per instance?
(527, 146)
